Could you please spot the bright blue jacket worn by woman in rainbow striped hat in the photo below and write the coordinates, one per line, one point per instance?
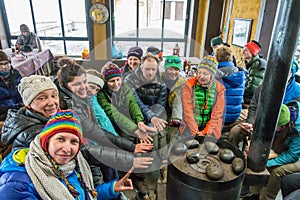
(16, 184)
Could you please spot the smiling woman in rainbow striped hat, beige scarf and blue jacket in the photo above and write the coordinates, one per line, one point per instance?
(33, 172)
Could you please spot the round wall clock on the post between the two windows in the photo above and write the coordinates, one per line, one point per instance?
(99, 13)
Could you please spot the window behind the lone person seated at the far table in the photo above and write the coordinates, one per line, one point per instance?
(61, 24)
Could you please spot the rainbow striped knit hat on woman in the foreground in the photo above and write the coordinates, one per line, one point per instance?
(62, 121)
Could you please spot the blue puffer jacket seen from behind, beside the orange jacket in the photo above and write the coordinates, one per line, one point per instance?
(234, 82)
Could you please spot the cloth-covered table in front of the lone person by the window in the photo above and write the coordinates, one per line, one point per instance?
(36, 63)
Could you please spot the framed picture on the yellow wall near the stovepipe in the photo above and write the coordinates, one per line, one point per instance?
(241, 31)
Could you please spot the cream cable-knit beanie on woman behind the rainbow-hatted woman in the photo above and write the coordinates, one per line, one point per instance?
(31, 86)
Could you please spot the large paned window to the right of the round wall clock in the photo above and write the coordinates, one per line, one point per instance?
(144, 23)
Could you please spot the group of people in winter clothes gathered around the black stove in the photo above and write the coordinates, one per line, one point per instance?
(83, 129)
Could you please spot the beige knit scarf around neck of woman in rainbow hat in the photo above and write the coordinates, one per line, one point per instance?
(45, 178)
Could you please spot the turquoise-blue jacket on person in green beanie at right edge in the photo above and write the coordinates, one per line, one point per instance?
(292, 154)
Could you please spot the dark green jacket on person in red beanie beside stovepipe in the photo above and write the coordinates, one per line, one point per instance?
(256, 70)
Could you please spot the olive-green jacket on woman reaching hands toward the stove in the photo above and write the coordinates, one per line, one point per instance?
(121, 108)
